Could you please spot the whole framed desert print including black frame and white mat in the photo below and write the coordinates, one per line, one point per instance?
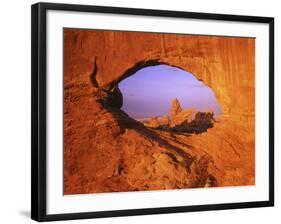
(140, 111)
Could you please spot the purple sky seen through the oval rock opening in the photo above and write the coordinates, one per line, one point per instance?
(150, 91)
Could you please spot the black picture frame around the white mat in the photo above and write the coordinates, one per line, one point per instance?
(38, 108)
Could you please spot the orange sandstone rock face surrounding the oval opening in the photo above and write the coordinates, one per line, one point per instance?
(105, 150)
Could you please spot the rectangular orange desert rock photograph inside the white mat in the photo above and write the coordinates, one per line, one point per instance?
(146, 111)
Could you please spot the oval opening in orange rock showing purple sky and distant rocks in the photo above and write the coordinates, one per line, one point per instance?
(170, 98)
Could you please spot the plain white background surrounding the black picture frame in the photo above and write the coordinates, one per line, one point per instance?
(15, 110)
